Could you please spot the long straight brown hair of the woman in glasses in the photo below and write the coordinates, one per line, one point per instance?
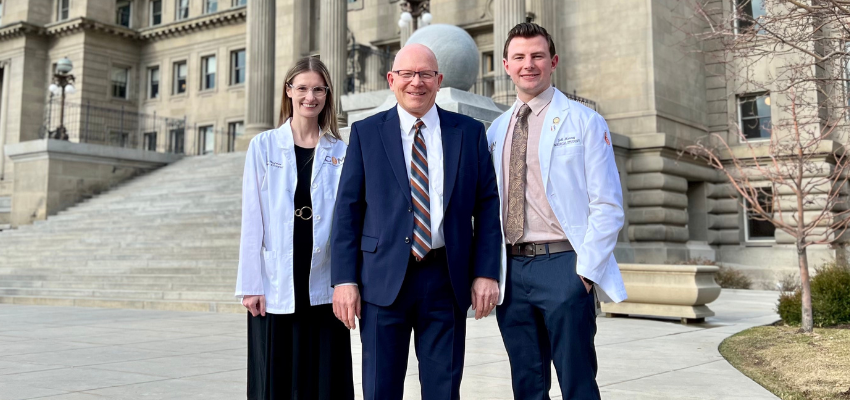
(327, 117)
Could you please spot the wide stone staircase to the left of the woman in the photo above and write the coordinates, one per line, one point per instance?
(168, 240)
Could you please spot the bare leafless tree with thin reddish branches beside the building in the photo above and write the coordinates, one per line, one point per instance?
(795, 175)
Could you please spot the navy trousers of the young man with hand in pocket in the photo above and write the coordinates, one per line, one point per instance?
(548, 316)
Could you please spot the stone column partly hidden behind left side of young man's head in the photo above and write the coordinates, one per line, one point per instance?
(506, 14)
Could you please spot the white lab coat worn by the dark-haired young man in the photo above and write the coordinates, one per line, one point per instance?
(582, 186)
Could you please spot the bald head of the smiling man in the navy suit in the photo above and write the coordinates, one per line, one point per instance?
(415, 92)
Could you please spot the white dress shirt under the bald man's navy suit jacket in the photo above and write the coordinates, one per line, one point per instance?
(434, 149)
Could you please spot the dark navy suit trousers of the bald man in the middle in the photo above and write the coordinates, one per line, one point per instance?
(425, 305)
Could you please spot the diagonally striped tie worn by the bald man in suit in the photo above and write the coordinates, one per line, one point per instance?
(419, 191)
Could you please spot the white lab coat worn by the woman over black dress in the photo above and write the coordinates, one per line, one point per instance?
(268, 212)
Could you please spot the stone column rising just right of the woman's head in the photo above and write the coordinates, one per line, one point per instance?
(332, 45)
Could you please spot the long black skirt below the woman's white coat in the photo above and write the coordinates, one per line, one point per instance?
(300, 356)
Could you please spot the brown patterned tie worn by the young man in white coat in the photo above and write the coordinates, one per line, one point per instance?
(516, 189)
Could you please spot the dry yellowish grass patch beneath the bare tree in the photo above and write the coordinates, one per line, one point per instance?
(793, 366)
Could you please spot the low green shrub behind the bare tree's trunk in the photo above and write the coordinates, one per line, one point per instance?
(830, 298)
